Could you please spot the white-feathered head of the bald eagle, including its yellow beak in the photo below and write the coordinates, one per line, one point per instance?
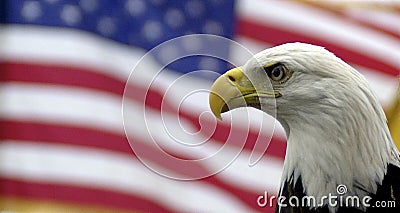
(291, 82)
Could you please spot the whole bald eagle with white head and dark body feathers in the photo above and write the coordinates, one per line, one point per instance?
(337, 131)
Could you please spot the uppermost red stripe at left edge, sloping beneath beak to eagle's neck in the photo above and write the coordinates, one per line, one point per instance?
(74, 76)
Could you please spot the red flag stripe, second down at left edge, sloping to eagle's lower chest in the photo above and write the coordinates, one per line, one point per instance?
(73, 136)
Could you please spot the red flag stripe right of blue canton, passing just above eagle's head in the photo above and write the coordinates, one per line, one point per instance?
(276, 36)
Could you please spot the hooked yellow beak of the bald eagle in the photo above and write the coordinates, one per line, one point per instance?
(228, 92)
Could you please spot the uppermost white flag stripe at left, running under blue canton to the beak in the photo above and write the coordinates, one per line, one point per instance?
(81, 49)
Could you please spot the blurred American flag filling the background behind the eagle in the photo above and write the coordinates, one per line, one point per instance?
(90, 122)
